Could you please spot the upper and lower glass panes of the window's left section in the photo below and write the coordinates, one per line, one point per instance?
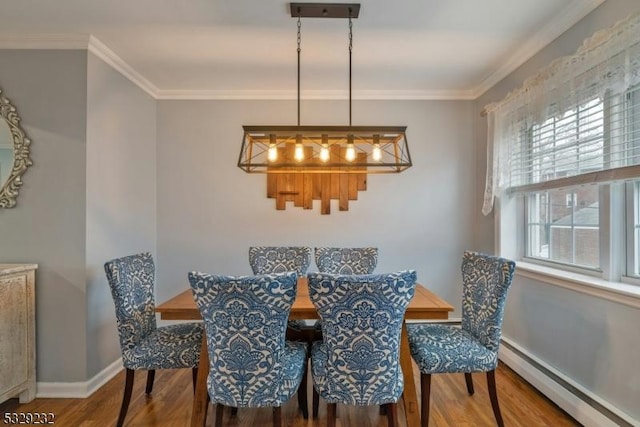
(563, 225)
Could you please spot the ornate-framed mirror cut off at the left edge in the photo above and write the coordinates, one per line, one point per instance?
(14, 153)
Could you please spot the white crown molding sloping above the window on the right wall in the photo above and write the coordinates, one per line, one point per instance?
(573, 13)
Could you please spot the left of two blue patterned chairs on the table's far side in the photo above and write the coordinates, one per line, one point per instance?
(280, 259)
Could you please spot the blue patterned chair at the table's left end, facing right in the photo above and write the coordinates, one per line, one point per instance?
(143, 344)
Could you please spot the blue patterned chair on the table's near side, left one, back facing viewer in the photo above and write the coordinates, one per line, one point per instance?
(250, 362)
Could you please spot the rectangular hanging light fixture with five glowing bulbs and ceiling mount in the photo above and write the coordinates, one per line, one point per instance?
(335, 149)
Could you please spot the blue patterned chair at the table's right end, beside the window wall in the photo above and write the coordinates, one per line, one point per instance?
(474, 347)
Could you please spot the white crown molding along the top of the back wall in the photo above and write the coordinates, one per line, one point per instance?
(417, 95)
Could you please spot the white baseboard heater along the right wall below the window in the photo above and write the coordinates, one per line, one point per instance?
(581, 404)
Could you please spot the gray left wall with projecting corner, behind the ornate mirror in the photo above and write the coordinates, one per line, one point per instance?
(89, 197)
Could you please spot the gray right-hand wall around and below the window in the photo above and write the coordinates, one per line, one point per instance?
(590, 340)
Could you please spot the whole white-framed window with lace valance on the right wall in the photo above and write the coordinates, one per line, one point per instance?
(564, 162)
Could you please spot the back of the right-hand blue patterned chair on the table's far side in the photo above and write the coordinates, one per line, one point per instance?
(346, 260)
